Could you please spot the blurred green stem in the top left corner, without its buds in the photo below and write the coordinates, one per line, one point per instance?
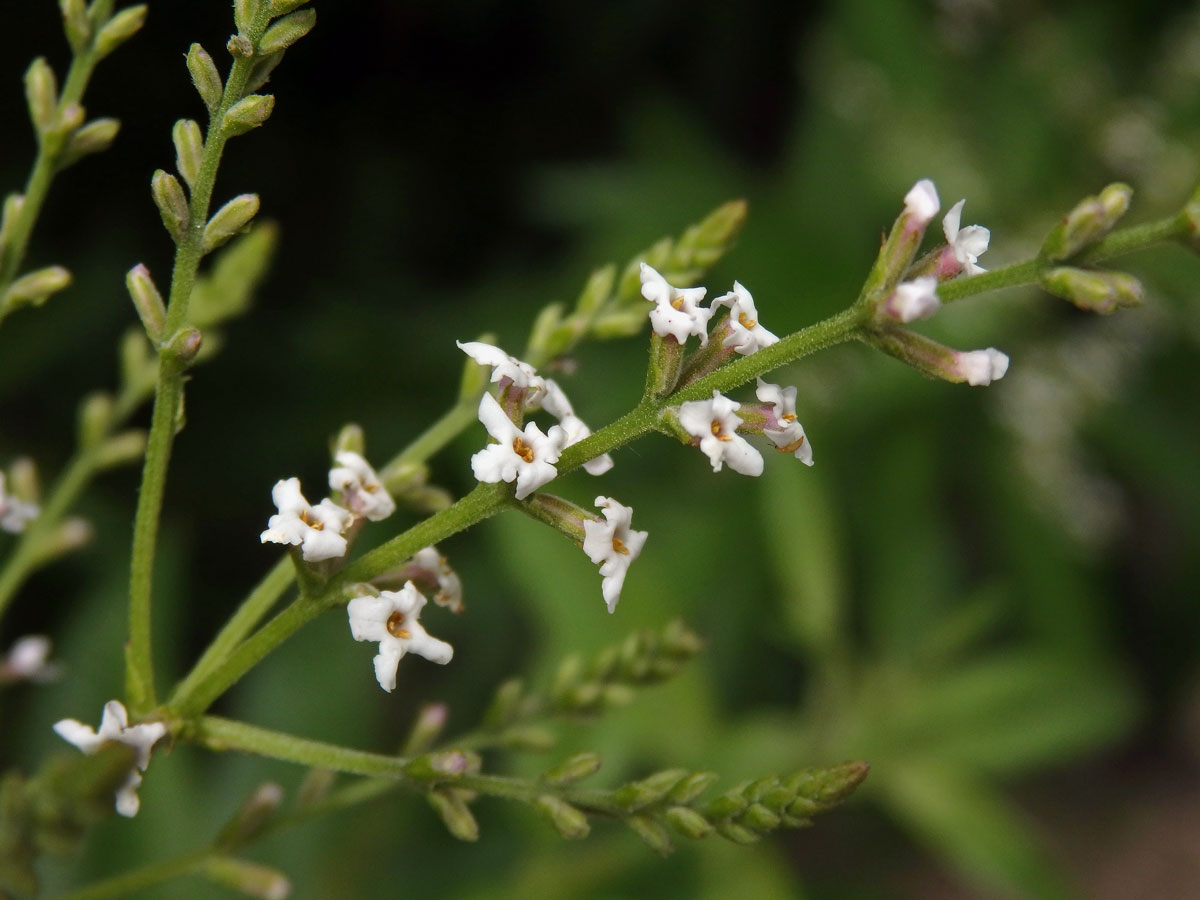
(50, 151)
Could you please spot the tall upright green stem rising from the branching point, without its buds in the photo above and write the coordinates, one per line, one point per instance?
(170, 391)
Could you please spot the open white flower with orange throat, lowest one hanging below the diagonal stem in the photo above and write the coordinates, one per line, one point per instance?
(393, 620)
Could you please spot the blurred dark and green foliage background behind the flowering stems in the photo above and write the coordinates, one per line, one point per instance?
(989, 595)
